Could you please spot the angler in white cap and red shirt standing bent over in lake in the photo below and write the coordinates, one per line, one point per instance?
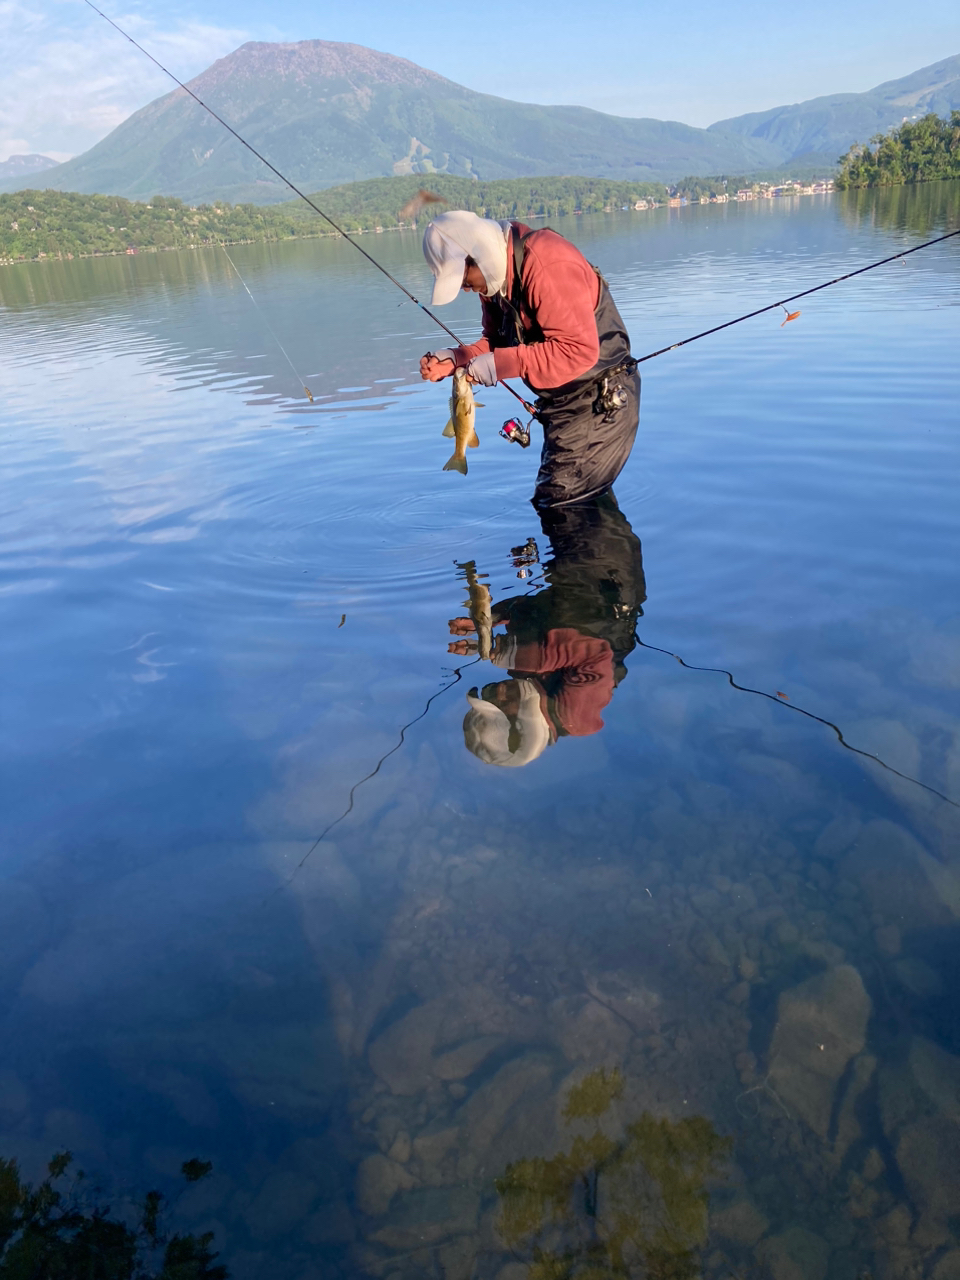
(548, 318)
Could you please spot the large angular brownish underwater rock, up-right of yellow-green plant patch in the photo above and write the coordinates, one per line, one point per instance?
(821, 1026)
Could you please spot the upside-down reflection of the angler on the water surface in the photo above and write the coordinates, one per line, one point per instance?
(565, 647)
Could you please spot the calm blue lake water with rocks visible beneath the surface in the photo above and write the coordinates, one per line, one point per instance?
(679, 996)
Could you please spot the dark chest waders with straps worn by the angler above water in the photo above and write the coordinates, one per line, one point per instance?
(589, 426)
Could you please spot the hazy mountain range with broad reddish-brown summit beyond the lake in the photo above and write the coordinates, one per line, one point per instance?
(328, 113)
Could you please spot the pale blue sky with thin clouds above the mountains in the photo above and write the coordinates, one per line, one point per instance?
(68, 79)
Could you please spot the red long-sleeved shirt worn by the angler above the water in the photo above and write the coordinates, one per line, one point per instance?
(563, 291)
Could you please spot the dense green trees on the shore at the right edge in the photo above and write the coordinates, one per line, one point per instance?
(920, 150)
